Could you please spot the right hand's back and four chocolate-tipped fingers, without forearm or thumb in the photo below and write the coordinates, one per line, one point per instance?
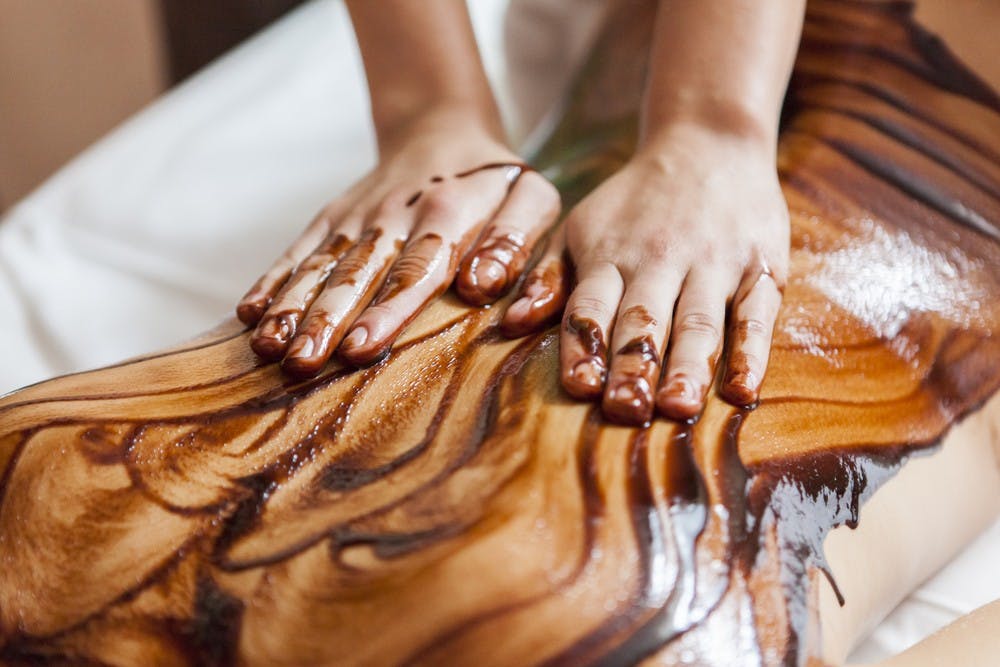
(689, 227)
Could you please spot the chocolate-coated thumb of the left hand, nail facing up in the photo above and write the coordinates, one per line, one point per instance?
(497, 260)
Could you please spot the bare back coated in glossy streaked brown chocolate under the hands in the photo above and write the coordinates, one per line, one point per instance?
(450, 504)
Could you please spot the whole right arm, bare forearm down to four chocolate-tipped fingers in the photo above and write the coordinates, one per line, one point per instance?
(694, 225)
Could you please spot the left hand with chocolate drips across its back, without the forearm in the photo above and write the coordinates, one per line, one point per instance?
(447, 198)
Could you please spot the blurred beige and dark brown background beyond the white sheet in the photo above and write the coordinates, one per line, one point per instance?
(70, 70)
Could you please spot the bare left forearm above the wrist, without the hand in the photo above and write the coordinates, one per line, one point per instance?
(421, 57)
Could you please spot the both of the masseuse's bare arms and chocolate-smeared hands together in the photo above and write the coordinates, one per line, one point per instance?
(693, 228)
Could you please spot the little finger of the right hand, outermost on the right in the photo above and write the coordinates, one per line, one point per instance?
(750, 340)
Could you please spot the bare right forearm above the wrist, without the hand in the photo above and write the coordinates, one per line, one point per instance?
(723, 65)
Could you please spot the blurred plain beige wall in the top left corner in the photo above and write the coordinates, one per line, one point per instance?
(70, 70)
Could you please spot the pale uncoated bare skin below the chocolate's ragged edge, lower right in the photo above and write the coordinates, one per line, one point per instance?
(909, 529)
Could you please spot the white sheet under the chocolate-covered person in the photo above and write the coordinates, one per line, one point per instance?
(153, 234)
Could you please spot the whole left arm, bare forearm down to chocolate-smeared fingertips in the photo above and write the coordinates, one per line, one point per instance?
(427, 215)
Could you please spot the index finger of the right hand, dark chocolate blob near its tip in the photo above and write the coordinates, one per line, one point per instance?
(586, 324)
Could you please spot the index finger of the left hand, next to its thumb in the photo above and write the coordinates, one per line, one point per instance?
(450, 219)
